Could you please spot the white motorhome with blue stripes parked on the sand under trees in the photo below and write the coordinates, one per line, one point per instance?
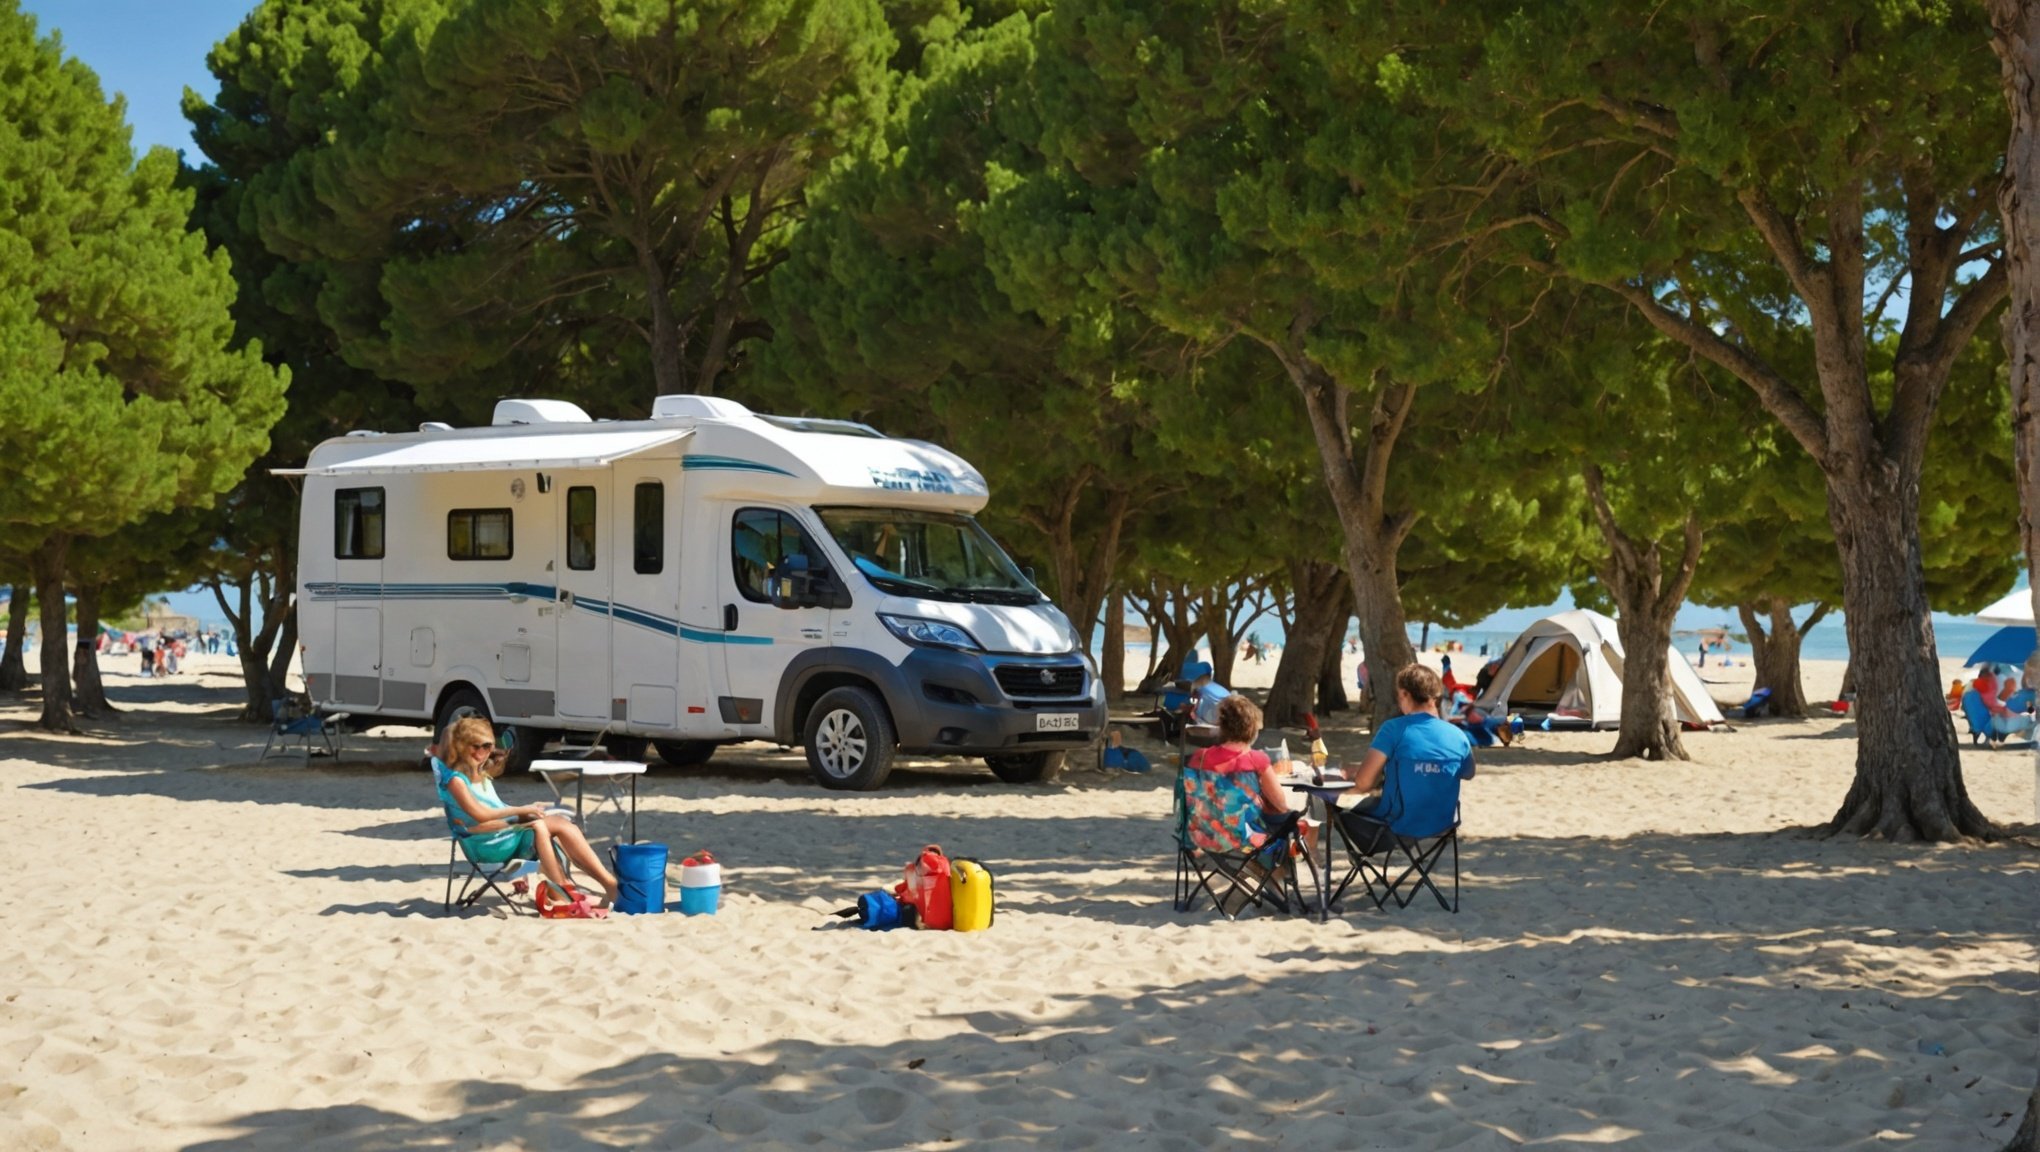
(695, 580)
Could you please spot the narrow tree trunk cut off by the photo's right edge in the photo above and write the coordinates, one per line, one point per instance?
(2017, 38)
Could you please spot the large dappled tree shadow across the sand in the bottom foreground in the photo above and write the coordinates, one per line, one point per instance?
(1313, 1051)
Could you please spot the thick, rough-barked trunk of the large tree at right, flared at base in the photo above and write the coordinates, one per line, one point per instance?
(1908, 768)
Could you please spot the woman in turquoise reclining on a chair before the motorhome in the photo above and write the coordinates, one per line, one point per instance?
(499, 831)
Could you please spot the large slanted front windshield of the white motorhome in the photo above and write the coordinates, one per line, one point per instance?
(927, 554)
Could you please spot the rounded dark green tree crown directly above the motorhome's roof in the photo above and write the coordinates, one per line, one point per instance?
(574, 195)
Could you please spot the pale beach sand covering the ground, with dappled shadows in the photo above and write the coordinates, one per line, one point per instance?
(215, 953)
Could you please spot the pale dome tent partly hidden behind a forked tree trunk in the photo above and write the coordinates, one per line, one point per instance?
(1578, 656)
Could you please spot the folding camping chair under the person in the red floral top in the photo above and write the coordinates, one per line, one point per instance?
(1215, 861)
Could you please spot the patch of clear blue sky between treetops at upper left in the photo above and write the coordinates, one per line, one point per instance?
(146, 50)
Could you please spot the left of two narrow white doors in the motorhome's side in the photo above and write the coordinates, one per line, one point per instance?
(584, 596)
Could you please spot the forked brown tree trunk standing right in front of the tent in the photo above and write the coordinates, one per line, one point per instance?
(1647, 600)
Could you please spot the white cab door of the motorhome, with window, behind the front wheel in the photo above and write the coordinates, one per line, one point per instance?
(760, 639)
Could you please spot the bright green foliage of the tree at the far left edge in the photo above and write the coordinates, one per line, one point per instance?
(119, 388)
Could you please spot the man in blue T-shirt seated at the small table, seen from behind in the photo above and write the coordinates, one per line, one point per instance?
(1417, 762)
